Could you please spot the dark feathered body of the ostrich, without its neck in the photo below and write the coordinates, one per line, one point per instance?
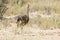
(22, 20)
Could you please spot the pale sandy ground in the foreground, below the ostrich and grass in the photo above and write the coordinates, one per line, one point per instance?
(29, 33)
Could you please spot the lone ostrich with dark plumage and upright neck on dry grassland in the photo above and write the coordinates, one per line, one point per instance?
(23, 19)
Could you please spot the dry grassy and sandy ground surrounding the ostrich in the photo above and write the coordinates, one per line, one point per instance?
(41, 26)
